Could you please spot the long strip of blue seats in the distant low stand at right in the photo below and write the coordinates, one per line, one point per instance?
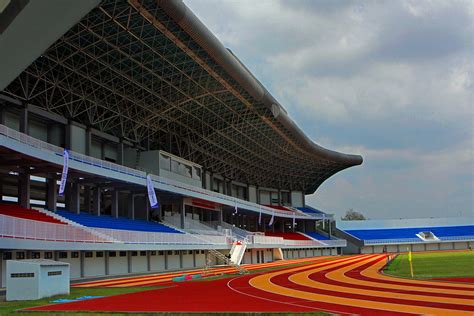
(400, 233)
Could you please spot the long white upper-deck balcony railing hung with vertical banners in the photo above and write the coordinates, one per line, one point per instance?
(230, 201)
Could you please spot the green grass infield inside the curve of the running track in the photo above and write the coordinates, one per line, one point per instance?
(434, 265)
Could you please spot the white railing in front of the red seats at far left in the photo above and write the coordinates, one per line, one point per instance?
(14, 227)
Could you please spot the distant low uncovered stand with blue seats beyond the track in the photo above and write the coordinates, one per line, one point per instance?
(401, 235)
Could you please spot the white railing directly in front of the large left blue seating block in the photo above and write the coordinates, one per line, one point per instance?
(139, 237)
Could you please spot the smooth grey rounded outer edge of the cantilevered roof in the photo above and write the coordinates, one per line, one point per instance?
(185, 18)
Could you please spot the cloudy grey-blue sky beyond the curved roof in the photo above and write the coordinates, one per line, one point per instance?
(389, 80)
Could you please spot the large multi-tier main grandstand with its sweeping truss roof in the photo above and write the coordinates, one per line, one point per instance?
(132, 140)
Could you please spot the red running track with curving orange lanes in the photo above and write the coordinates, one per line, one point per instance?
(347, 285)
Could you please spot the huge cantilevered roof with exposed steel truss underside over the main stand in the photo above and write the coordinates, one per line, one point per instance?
(150, 72)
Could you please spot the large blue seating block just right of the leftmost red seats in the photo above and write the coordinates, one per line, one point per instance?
(121, 223)
